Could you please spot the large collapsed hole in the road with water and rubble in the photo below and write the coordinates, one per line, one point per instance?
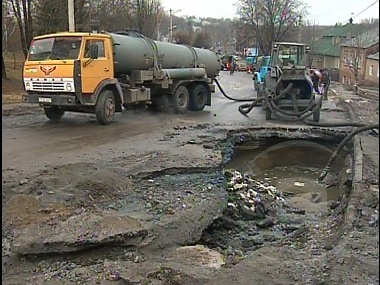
(274, 194)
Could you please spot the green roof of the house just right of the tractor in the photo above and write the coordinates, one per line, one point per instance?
(326, 45)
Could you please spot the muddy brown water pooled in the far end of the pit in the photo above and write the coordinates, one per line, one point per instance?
(293, 166)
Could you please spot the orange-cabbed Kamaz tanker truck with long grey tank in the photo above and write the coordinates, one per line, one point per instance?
(101, 72)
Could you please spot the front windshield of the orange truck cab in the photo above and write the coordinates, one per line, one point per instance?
(55, 48)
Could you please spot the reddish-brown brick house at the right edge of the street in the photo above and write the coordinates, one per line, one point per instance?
(354, 53)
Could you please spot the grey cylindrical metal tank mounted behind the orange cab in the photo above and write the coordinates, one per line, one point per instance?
(140, 53)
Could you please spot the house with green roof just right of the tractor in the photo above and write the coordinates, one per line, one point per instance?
(326, 50)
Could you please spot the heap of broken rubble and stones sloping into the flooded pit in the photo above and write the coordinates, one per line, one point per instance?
(257, 214)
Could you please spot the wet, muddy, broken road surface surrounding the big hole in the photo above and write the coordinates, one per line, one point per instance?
(162, 174)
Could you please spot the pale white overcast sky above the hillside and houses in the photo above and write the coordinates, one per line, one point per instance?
(323, 12)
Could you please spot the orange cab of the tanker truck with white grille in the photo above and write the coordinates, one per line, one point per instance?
(61, 72)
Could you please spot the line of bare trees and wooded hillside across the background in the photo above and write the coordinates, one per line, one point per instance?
(257, 23)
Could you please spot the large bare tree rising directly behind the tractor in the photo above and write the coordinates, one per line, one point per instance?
(270, 20)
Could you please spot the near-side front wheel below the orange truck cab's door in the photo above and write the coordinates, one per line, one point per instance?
(105, 107)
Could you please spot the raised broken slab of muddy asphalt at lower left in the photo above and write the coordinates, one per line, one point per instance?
(78, 232)
